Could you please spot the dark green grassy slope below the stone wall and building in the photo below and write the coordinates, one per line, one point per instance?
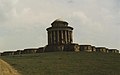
(66, 63)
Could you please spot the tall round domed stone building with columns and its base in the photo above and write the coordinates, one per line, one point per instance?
(60, 37)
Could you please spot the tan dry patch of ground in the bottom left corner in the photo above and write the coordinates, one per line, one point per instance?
(6, 69)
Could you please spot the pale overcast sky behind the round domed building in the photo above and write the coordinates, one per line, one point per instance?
(23, 23)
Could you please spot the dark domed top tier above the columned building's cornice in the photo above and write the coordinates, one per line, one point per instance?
(59, 23)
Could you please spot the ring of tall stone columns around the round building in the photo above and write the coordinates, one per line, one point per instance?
(59, 37)
